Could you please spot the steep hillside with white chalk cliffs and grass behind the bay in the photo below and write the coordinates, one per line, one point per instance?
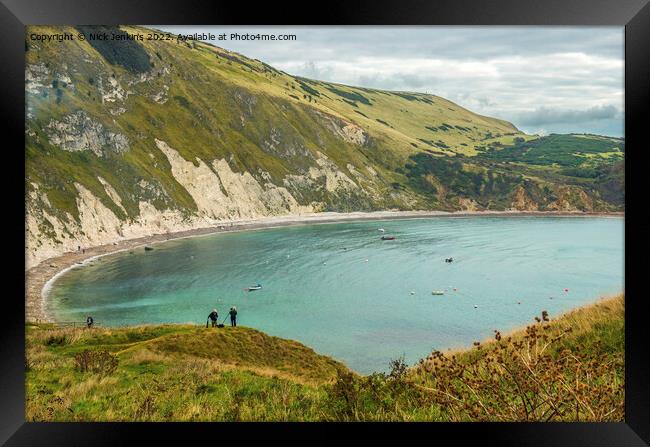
(126, 140)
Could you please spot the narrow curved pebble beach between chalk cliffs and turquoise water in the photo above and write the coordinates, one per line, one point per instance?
(39, 279)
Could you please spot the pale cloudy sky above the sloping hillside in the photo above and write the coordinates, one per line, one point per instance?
(542, 79)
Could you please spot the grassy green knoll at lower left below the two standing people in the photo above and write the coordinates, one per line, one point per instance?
(173, 373)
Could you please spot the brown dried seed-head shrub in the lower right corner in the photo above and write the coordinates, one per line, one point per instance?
(533, 378)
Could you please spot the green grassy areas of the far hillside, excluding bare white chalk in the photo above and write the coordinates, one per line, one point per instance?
(222, 105)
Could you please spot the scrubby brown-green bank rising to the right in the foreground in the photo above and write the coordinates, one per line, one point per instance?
(546, 373)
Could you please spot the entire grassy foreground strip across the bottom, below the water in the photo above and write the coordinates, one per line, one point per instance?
(567, 369)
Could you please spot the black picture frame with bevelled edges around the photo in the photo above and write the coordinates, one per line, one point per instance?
(633, 14)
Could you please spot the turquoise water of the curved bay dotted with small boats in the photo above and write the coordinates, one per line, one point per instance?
(341, 290)
